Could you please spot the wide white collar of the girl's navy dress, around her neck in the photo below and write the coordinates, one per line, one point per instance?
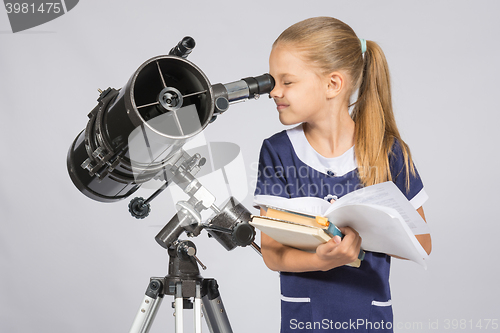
(339, 165)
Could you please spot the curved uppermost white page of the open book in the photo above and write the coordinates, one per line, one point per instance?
(386, 194)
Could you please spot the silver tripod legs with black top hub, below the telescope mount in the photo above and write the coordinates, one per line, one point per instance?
(183, 282)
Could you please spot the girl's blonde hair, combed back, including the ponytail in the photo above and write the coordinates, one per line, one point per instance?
(331, 45)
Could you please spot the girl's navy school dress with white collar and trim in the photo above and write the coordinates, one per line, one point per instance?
(344, 299)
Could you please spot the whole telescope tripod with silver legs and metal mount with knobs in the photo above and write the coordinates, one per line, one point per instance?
(229, 227)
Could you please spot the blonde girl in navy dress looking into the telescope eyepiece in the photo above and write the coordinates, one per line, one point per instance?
(318, 64)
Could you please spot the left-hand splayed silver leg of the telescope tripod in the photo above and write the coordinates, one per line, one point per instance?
(149, 308)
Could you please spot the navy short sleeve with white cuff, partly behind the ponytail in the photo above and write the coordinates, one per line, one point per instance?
(415, 192)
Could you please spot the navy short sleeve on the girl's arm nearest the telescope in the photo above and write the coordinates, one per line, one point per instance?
(270, 176)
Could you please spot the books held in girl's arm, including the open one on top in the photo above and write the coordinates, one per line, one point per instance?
(381, 214)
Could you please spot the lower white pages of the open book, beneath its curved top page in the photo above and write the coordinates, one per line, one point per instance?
(382, 230)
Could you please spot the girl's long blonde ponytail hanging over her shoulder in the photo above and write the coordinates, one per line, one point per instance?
(375, 125)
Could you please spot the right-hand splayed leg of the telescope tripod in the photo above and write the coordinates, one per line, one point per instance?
(213, 309)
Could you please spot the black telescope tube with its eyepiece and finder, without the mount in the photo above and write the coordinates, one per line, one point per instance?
(154, 100)
